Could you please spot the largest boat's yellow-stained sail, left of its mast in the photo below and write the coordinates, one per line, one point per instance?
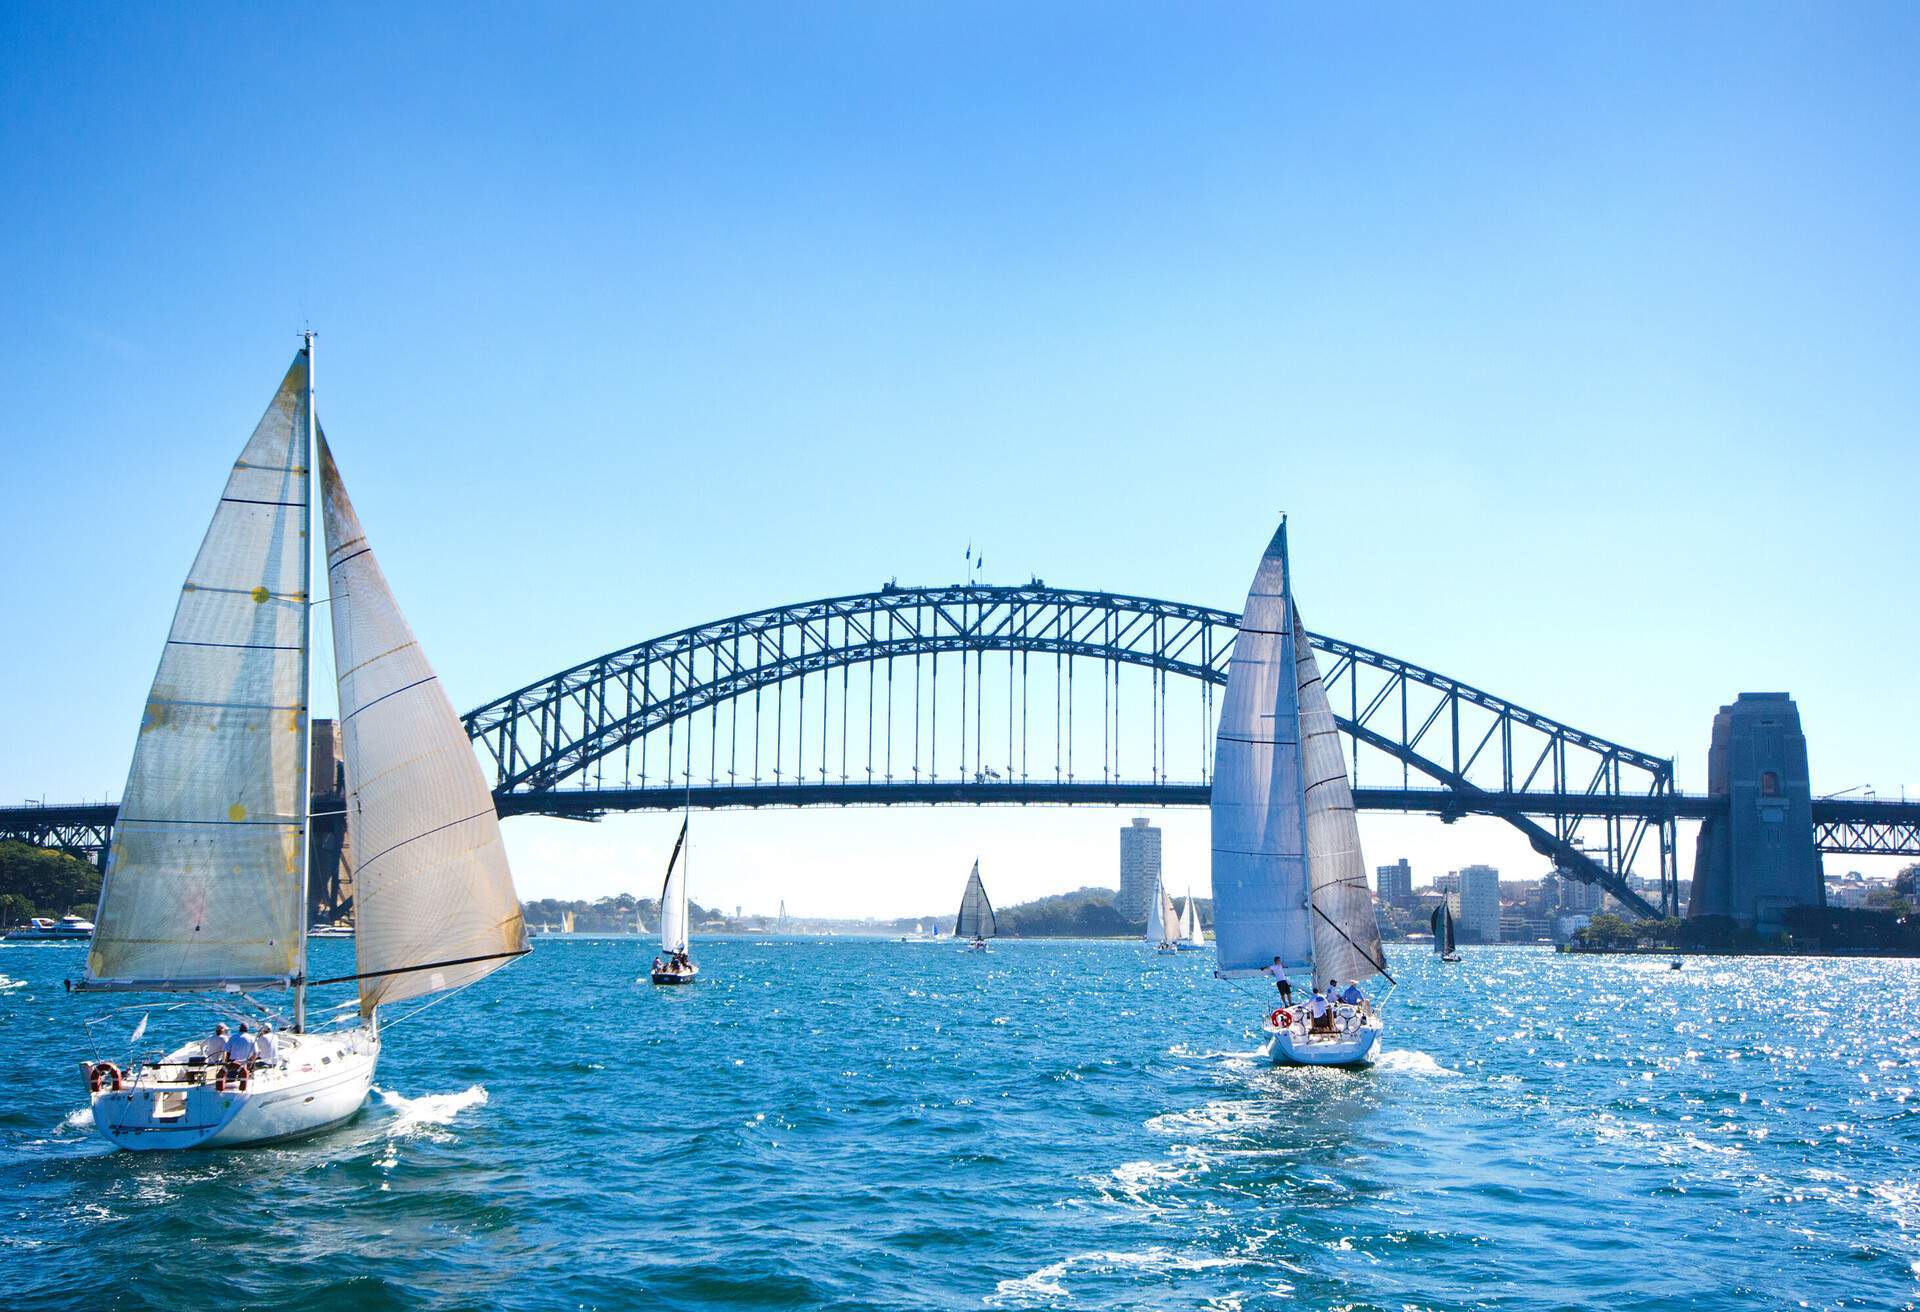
(206, 881)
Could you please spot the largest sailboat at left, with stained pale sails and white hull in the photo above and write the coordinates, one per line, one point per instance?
(206, 883)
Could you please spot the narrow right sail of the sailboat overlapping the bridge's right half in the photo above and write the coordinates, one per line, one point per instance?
(1347, 936)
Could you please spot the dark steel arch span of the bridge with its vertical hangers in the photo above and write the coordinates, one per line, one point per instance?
(1049, 696)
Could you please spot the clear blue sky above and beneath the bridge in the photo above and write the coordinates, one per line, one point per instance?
(1579, 341)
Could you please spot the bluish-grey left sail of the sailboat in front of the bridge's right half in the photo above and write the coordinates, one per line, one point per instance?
(1260, 858)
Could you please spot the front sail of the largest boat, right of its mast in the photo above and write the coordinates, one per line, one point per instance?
(433, 898)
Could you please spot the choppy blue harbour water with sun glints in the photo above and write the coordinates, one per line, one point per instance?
(875, 1125)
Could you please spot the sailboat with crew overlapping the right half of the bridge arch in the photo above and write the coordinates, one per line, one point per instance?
(1289, 881)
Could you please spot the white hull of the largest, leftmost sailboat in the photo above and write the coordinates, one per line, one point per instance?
(322, 1081)
